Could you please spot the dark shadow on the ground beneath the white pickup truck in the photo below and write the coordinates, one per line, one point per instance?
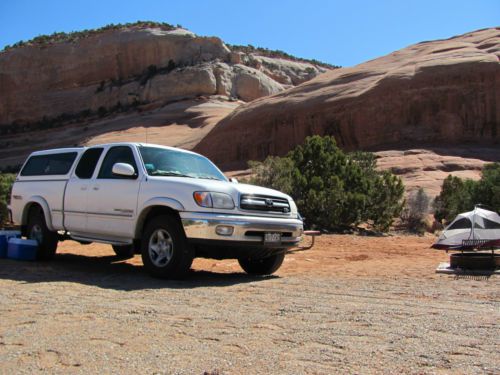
(108, 272)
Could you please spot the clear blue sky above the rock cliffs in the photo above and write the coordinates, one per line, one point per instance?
(339, 32)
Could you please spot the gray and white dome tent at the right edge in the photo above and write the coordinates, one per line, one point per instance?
(478, 229)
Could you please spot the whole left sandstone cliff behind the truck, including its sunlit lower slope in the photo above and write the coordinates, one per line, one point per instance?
(117, 82)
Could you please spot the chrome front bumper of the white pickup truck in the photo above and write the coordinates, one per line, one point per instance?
(201, 226)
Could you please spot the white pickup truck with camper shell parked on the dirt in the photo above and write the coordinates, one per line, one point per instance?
(170, 205)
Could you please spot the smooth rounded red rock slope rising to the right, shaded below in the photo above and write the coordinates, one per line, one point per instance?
(442, 92)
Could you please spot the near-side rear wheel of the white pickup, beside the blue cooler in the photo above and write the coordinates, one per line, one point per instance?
(37, 230)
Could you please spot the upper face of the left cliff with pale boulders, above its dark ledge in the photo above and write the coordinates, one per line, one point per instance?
(130, 66)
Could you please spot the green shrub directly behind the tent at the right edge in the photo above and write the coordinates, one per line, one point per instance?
(458, 195)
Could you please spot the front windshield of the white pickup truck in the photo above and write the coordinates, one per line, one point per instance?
(165, 162)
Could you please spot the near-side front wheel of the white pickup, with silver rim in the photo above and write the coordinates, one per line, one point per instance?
(164, 248)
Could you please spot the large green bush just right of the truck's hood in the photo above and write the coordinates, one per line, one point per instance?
(333, 190)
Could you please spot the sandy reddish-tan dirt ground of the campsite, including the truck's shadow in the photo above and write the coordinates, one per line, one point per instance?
(351, 304)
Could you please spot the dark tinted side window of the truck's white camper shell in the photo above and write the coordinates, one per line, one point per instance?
(49, 164)
